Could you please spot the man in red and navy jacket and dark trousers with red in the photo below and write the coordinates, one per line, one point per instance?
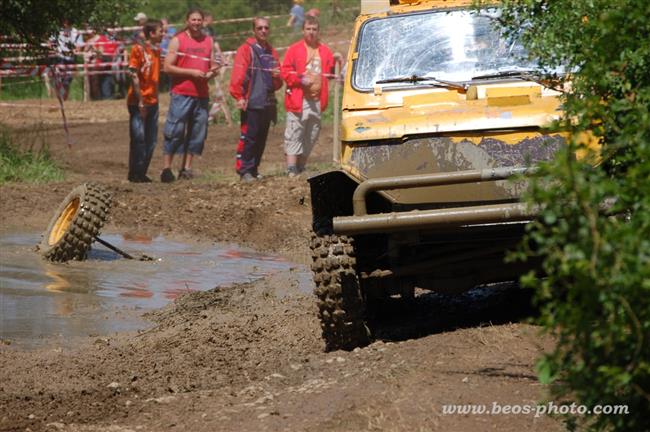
(255, 78)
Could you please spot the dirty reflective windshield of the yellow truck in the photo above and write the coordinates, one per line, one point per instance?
(451, 45)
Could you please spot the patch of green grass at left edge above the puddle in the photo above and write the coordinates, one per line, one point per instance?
(26, 159)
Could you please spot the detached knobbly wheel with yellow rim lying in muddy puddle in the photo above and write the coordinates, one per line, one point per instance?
(76, 223)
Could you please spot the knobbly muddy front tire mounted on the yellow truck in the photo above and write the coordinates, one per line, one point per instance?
(341, 307)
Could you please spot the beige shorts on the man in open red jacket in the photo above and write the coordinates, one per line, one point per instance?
(302, 129)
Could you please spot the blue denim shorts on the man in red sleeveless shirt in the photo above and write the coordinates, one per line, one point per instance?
(187, 125)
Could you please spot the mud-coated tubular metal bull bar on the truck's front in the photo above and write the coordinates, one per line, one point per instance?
(363, 223)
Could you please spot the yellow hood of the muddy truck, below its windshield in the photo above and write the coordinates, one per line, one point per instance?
(480, 108)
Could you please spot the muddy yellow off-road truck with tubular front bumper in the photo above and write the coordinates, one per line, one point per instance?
(439, 109)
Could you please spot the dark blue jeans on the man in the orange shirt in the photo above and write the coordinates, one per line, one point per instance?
(143, 134)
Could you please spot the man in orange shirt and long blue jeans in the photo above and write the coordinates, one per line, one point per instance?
(142, 101)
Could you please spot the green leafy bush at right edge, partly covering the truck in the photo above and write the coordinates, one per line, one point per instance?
(596, 294)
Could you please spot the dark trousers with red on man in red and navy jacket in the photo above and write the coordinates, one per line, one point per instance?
(252, 141)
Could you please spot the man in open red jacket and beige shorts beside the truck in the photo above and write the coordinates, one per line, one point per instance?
(306, 67)
